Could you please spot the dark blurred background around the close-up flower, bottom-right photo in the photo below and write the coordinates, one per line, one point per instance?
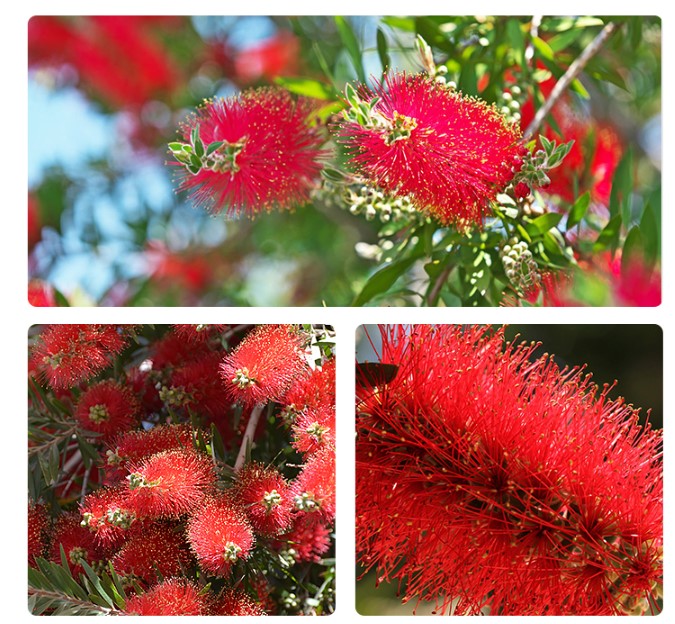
(631, 355)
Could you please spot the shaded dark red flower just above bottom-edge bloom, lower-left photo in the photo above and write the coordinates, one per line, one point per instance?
(159, 551)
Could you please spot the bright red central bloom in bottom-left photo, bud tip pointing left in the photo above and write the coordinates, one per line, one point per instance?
(171, 483)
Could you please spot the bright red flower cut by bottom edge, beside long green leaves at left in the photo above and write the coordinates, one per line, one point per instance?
(171, 597)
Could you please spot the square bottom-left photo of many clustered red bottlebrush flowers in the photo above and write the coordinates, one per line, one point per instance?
(181, 470)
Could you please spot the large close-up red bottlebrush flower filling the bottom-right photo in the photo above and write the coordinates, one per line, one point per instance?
(495, 482)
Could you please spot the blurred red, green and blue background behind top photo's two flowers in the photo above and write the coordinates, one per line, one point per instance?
(106, 95)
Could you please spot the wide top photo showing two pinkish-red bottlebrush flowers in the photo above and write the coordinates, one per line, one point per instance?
(291, 161)
